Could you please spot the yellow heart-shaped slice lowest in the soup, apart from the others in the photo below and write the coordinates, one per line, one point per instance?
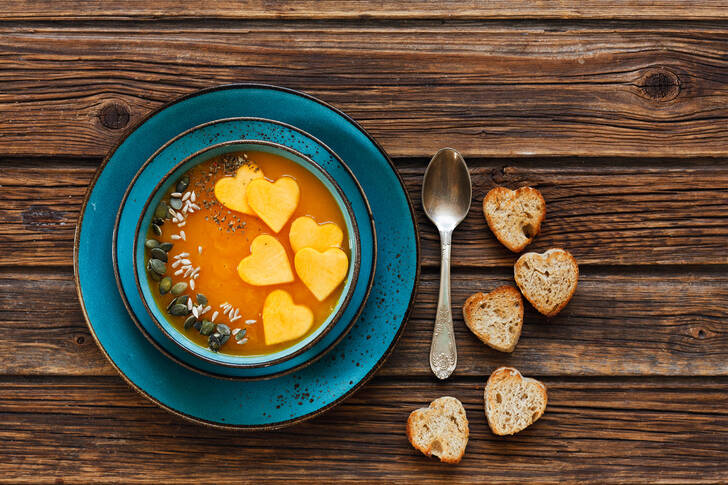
(283, 320)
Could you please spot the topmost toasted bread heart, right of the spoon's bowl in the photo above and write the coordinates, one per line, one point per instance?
(514, 216)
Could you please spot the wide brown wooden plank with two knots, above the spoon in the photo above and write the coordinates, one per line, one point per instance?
(488, 90)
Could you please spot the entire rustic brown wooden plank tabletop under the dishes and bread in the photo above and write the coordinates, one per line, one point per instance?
(616, 110)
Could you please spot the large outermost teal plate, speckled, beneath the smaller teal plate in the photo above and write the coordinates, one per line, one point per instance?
(284, 400)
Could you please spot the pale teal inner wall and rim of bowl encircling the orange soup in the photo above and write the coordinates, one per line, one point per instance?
(158, 316)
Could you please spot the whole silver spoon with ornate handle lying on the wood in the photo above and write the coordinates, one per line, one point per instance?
(446, 194)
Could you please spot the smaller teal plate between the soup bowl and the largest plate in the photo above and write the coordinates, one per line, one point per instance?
(191, 142)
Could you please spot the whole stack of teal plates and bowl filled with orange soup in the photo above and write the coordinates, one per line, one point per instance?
(247, 287)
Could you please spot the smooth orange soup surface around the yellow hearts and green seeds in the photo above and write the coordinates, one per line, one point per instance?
(214, 239)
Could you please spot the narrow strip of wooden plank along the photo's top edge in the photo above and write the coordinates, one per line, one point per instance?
(358, 9)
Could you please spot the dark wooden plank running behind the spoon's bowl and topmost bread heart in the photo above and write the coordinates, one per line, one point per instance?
(626, 212)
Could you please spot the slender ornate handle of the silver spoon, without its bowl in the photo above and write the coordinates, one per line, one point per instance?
(443, 353)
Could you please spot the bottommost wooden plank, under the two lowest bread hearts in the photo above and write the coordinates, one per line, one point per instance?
(627, 431)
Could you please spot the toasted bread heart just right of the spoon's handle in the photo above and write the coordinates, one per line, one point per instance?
(496, 318)
